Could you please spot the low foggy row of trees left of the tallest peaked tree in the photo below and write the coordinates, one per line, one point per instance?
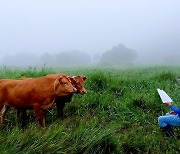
(63, 58)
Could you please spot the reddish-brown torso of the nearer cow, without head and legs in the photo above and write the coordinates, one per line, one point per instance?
(23, 93)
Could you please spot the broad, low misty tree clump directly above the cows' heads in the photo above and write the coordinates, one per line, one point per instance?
(71, 58)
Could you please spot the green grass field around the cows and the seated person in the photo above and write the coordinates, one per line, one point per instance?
(117, 115)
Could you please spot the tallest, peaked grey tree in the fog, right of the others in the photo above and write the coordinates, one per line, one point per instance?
(118, 55)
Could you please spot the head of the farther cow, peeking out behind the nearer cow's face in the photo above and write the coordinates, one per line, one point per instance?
(78, 83)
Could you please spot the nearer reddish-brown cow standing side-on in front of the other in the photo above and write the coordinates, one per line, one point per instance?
(33, 93)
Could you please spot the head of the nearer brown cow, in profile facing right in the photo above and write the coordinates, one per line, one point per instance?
(63, 86)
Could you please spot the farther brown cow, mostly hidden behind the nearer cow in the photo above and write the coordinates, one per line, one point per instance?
(60, 101)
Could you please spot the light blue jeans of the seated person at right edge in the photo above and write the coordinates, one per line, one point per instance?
(169, 119)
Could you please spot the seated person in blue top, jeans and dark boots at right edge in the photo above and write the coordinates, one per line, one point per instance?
(170, 119)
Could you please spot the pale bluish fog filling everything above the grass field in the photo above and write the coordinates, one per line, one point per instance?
(83, 32)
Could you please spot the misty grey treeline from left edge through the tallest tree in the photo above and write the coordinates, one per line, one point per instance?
(117, 55)
